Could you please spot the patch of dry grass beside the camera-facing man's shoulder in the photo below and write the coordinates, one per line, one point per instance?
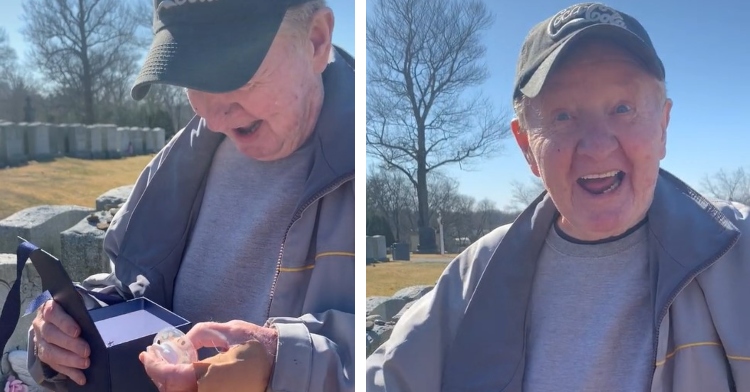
(387, 278)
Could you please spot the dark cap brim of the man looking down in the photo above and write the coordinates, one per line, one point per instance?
(213, 58)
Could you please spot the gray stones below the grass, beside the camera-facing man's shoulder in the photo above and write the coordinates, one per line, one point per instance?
(384, 312)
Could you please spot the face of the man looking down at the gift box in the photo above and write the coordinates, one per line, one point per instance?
(276, 111)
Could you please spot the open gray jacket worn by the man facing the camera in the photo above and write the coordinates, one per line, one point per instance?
(469, 333)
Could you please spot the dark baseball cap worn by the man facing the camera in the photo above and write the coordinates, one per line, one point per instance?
(549, 40)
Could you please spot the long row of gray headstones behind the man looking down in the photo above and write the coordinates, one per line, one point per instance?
(23, 142)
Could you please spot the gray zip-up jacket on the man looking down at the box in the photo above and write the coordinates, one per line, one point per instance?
(312, 298)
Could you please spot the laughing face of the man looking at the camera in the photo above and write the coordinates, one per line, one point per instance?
(597, 132)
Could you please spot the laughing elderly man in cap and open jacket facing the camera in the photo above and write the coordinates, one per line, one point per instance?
(619, 277)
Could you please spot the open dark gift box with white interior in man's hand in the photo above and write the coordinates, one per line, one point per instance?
(115, 333)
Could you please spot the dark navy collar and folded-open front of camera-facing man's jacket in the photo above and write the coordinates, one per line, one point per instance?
(686, 235)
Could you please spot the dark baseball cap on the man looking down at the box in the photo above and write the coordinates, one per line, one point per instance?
(209, 45)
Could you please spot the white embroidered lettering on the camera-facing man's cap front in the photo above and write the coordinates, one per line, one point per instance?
(577, 16)
